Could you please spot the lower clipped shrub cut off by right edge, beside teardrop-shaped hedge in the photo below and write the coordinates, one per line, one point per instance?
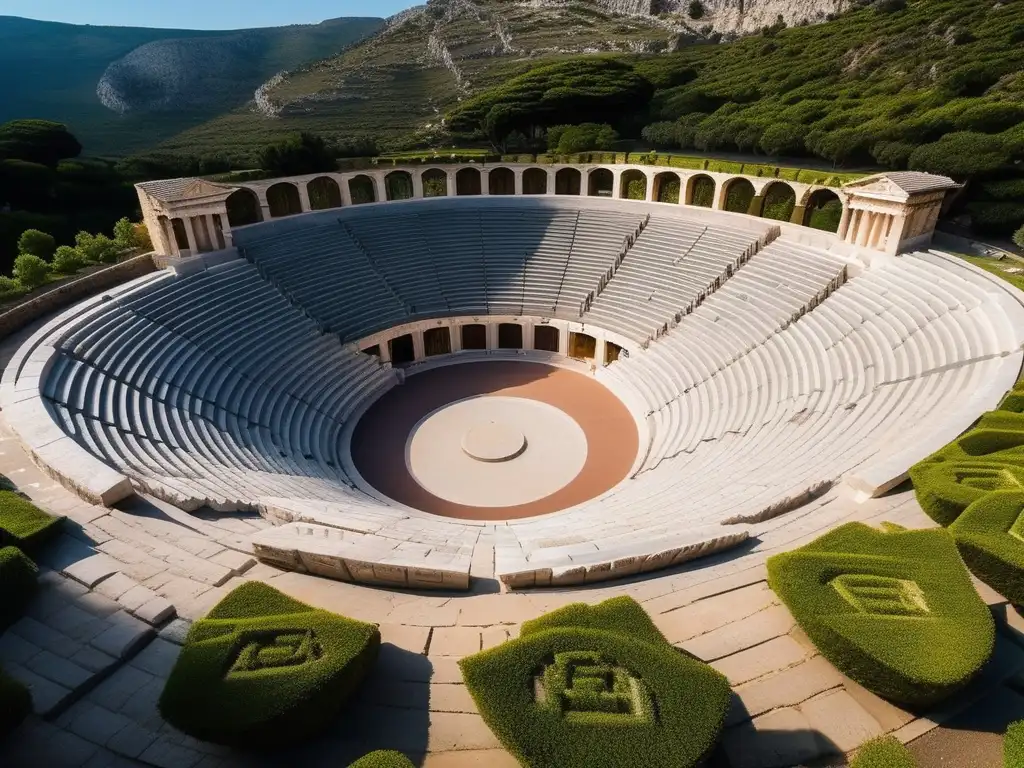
(990, 536)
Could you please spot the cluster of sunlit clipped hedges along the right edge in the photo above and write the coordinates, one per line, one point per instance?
(975, 486)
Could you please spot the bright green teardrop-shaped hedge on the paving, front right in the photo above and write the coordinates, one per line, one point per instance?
(895, 610)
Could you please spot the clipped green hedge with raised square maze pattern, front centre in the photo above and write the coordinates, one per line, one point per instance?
(587, 687)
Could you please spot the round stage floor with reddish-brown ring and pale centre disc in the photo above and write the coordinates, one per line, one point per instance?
(495, 441)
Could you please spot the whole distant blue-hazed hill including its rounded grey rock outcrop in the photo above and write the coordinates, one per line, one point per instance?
(121, 89)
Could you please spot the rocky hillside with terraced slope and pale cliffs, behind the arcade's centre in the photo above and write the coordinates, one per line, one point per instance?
(429, 59)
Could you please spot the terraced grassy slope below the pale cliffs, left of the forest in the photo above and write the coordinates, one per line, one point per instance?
(392, 87)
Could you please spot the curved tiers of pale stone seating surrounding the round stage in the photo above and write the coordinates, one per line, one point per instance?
(761, 367)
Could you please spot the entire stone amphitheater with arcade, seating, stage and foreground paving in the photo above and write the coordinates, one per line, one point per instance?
(506, 399)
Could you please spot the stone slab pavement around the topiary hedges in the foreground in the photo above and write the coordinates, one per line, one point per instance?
(121, 586)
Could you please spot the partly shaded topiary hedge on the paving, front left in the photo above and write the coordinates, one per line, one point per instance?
(264, 669)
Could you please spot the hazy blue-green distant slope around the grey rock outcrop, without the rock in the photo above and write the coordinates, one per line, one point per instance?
(51, 70)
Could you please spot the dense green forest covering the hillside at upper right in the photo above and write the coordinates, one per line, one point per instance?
(934, 86)
